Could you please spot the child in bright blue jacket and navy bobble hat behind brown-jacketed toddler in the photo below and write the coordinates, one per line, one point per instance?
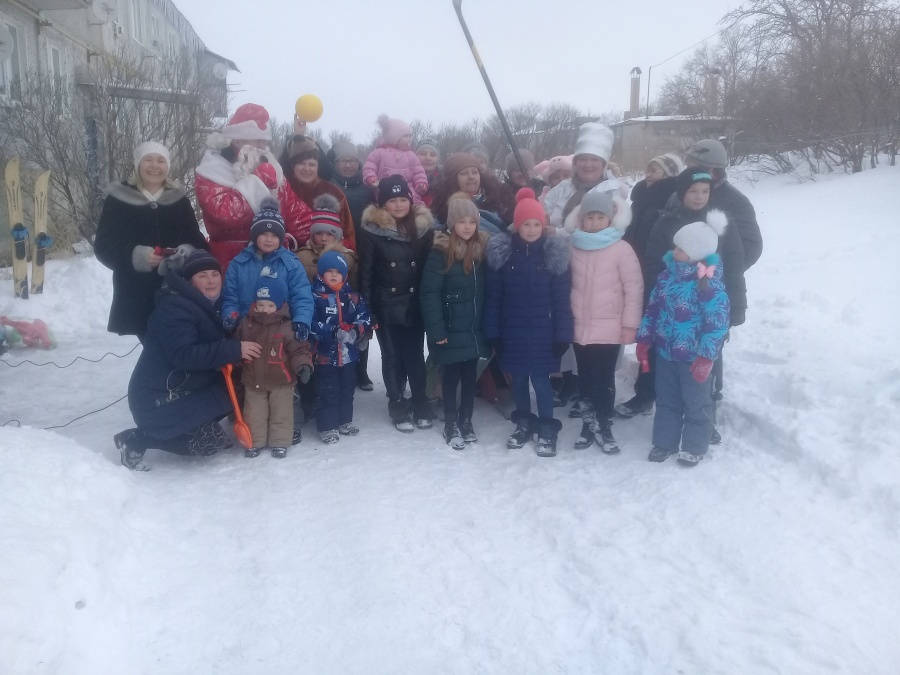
(265, 256)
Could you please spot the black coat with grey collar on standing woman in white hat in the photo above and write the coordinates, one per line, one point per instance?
(128, 220)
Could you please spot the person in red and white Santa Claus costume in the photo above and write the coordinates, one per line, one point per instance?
(237, 172)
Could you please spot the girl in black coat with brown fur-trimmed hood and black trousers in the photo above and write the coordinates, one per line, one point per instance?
(393, 250)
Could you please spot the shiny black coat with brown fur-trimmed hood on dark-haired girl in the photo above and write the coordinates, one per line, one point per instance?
(391, 266)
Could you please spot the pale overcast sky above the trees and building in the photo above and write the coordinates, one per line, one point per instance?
(410, 59)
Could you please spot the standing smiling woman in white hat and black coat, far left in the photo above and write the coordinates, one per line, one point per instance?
(142, 215)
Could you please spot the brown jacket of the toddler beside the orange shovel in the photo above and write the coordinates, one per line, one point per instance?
(282, 354)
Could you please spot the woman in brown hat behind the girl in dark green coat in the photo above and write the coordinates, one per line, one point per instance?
(495, 201)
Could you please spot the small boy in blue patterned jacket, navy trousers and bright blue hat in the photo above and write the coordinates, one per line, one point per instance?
(339, 326)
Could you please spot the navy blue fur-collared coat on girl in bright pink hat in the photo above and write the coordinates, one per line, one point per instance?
(527, 303)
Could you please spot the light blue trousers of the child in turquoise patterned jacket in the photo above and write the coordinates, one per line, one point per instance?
(684, 409)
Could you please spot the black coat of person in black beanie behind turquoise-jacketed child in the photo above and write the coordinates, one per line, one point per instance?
(731, 251)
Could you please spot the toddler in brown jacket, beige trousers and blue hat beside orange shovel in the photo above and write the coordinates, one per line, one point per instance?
(269, 379)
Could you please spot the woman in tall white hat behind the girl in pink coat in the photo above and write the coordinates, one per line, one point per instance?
(590, 172)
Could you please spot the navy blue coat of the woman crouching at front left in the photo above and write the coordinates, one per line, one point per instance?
(176, 385)
